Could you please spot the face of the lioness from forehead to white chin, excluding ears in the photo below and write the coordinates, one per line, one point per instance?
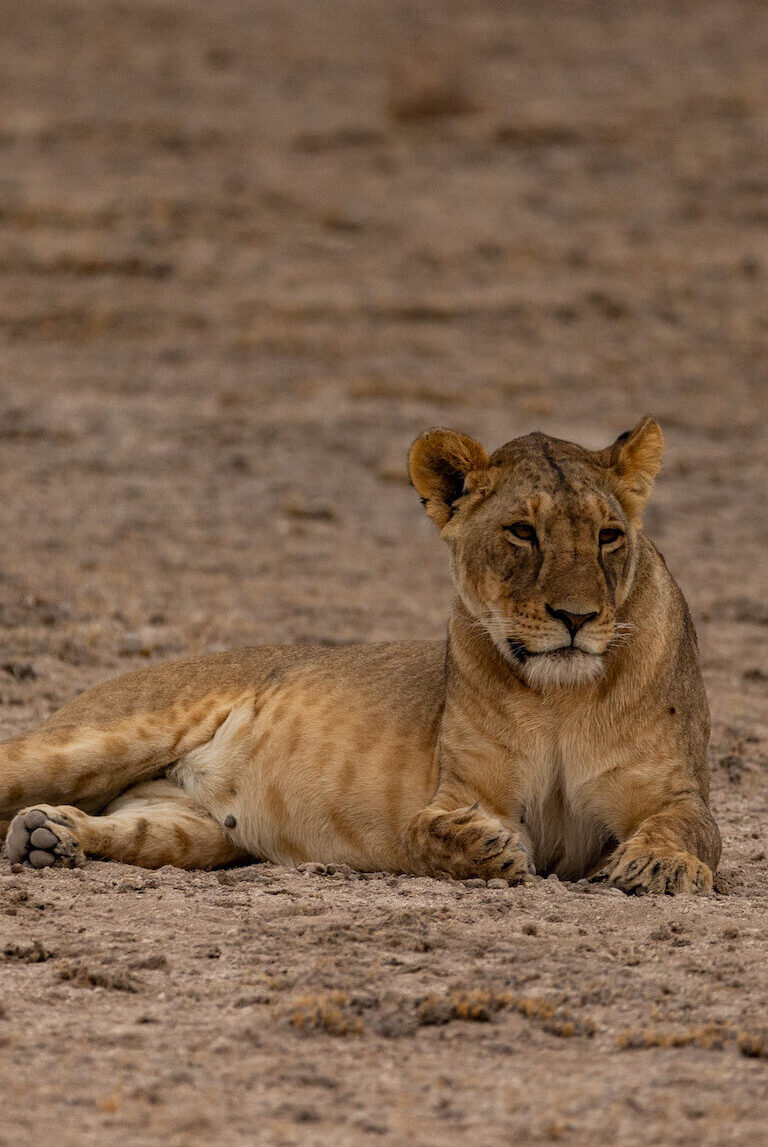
(544, 564)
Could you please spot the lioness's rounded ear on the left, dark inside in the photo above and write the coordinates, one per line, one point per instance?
(442, 466)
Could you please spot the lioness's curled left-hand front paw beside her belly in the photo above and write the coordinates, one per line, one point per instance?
(466, 842)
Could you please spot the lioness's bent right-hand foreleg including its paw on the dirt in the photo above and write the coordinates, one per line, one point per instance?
(677, 851)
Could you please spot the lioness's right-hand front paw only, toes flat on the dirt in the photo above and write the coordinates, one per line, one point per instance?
(638, 868)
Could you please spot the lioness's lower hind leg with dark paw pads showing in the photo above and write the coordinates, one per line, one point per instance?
(151, 825)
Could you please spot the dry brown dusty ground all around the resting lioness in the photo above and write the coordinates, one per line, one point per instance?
(240, 270)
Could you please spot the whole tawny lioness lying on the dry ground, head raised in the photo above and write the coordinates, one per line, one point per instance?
(561, 729)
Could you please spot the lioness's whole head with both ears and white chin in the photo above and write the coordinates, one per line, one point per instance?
(545, 541)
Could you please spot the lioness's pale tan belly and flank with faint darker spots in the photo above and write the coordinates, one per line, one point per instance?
(317, 773)
